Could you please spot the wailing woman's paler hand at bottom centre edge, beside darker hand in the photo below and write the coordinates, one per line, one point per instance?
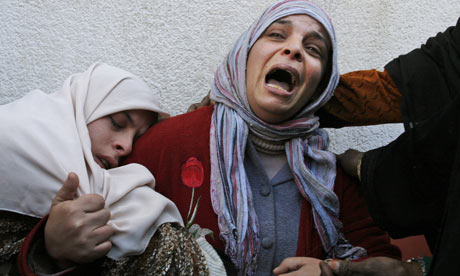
(298, 266)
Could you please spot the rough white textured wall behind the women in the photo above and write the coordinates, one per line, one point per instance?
(177, 45)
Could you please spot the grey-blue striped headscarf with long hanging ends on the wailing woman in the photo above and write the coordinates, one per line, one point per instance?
(312, 166)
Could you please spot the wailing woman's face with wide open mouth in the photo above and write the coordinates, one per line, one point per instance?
(285, 66)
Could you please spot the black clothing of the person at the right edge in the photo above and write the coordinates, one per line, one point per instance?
(412, 186)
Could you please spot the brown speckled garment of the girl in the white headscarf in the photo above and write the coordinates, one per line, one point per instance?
(171, 251)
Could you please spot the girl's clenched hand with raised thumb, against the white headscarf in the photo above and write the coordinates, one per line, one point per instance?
(76, 231)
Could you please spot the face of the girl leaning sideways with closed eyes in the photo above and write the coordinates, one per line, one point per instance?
(112, 136)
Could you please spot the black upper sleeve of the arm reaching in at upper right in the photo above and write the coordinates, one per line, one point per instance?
(428, 77)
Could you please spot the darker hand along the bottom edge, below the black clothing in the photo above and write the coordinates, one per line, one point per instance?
(377, 266)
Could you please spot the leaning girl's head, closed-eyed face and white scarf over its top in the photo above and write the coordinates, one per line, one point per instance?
(119, 108)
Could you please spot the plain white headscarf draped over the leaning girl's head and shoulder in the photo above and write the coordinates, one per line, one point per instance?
(43, 137)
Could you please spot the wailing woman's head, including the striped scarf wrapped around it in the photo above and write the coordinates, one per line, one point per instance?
(289, 57)
